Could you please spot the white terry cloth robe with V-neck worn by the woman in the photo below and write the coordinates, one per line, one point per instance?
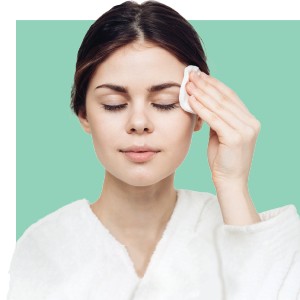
(71, 255)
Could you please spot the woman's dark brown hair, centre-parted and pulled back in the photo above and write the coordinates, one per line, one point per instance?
(125, 23)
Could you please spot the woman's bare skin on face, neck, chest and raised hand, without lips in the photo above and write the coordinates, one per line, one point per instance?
(138, 199)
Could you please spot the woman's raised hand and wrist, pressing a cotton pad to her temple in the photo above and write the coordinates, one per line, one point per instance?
(233, 134)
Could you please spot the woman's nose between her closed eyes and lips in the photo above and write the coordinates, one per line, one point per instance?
(139, 121)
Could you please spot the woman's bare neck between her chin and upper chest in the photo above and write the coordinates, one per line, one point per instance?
(135, 212)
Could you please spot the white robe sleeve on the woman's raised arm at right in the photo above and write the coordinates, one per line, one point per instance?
(262, 260)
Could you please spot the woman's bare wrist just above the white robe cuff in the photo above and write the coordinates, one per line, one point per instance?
(236, 205)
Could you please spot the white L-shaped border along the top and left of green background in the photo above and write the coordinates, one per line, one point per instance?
(86, 10)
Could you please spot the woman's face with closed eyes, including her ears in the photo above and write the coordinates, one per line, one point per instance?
(140, 133)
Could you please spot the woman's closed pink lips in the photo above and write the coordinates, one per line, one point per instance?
(139, 153)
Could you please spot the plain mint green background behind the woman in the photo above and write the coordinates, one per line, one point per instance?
(56, 163)
